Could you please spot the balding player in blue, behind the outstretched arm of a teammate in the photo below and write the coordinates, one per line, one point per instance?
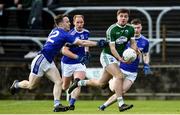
(70, 66)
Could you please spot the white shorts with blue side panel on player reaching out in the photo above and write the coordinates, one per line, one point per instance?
(40, 65)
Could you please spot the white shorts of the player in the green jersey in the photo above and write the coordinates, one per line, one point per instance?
(107, 59)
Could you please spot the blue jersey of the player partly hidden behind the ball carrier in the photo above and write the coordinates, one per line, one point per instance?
(143, 45)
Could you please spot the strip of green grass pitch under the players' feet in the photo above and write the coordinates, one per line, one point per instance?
(89, 107)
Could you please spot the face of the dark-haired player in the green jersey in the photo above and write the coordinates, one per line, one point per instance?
(122, 19)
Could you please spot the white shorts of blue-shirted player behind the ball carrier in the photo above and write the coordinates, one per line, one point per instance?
(129, 75)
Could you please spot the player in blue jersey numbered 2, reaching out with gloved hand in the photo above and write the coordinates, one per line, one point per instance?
(43, 63)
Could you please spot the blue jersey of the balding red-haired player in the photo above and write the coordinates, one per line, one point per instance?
(79, 50)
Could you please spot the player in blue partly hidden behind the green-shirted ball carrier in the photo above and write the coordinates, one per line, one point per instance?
(130, 70)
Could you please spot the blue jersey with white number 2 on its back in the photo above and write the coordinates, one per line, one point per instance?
(56, 40)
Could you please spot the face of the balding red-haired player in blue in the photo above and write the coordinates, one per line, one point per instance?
(79, 23)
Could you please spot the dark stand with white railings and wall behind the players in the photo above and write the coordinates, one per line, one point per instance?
(25, 25)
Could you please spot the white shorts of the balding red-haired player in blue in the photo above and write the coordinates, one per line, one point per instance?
(69, 69)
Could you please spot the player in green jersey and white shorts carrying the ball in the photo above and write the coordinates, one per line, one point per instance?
(118, 35)
